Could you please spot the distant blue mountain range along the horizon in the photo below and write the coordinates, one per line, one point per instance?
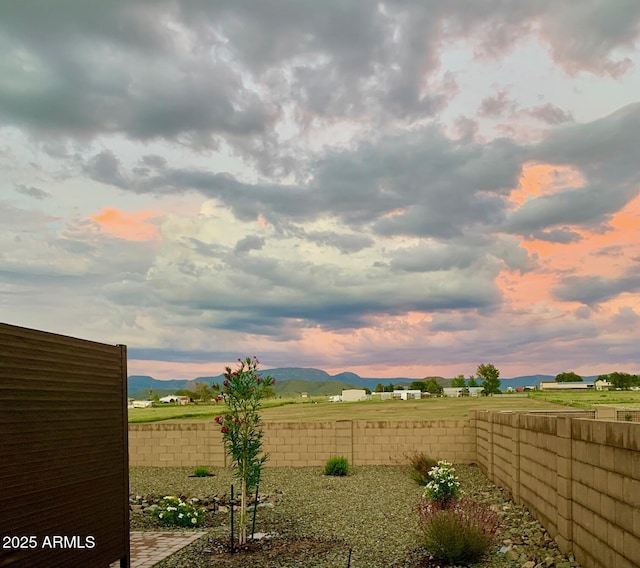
(292, 380)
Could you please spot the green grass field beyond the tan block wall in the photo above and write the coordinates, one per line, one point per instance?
(318, 409)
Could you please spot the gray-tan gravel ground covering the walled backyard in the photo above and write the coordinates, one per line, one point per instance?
(318, 521)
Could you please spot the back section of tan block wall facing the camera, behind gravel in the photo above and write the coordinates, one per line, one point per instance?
(306, 443)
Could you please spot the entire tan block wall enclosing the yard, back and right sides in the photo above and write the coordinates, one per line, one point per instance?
(577, 473)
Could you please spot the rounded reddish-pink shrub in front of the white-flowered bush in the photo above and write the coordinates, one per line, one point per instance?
(460, 534)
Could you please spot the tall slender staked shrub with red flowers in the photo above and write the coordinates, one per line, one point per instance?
(241, 427)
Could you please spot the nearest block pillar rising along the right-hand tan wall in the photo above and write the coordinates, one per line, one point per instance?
(564, 505)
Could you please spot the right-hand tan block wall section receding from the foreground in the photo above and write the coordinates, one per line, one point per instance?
(579, 477)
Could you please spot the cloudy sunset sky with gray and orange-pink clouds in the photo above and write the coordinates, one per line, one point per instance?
(408, 187)
